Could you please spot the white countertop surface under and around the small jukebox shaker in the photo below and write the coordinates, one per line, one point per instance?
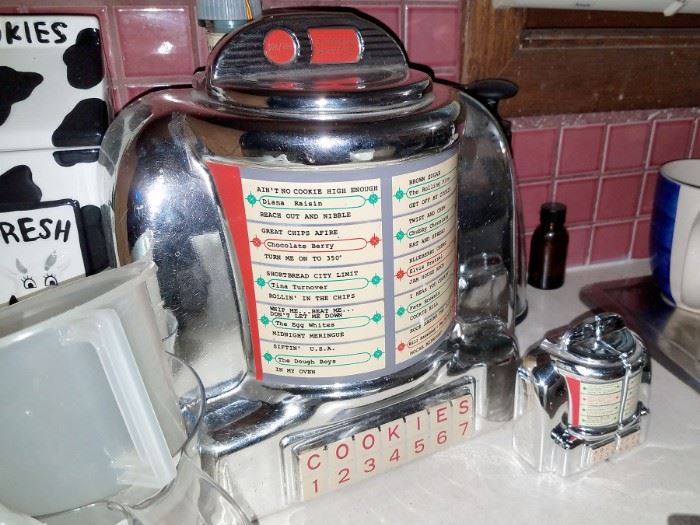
(483, 481)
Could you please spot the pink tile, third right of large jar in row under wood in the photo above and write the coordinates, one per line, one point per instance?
(627, 146)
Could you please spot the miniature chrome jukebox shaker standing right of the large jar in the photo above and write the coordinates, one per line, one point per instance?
(582, 395)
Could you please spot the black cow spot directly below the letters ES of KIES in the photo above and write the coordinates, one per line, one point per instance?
(84, 60)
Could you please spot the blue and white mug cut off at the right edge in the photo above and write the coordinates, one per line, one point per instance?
(675, 233)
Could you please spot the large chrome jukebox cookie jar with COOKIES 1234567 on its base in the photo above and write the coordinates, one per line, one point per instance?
(335, 233)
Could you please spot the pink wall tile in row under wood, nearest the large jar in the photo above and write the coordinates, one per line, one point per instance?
(534, 152)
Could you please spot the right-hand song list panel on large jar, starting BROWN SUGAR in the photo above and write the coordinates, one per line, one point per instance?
(425, 253)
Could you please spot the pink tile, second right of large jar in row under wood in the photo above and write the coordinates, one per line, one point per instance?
(581, 150)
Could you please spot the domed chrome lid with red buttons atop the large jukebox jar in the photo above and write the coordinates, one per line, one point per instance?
(322, 64)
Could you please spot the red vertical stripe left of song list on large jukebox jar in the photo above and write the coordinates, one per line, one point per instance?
(227, 179)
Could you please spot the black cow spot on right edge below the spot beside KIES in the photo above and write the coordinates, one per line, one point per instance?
(83, 126)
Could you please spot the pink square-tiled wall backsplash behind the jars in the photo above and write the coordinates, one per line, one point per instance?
(593, 162)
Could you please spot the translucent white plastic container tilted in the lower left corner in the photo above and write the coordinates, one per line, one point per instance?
(88, 407)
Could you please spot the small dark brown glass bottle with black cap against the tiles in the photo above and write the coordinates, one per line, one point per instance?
(548, 249)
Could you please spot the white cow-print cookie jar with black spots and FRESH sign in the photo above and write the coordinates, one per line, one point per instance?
(53, 114)
